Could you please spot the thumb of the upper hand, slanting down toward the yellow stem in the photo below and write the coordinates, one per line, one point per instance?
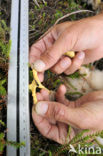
(64, 43)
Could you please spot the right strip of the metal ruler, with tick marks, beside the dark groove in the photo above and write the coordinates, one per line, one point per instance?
(24, 98)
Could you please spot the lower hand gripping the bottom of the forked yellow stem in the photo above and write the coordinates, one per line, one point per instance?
(85, 113)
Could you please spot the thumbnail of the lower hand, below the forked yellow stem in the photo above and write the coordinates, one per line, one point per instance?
(41, 108)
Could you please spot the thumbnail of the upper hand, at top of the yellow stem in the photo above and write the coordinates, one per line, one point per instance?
(39, 65)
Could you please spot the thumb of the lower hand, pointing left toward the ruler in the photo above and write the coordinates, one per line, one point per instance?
(56, 111)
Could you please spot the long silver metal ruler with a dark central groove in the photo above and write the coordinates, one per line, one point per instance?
(18, 99)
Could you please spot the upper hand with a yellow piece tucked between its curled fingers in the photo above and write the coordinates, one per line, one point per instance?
(84, 36)
